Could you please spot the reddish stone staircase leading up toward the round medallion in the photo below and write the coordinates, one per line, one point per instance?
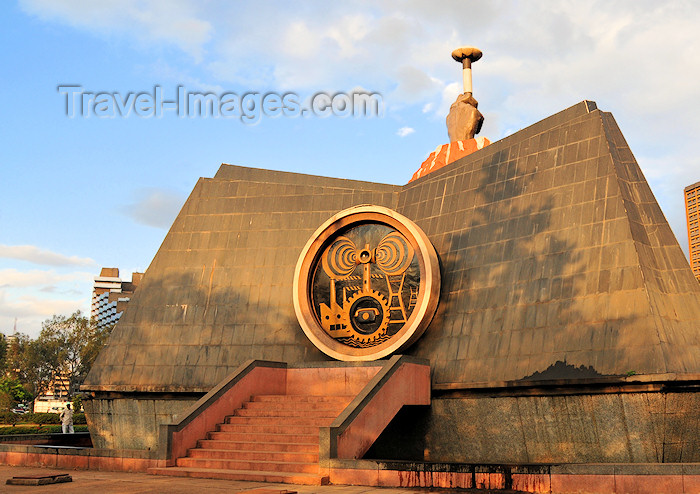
(272, 438)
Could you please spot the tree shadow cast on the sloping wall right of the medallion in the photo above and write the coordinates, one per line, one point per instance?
(511, 275)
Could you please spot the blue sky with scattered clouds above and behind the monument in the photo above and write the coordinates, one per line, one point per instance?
(85, 192)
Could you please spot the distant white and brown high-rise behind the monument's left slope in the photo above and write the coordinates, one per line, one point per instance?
(110, 295)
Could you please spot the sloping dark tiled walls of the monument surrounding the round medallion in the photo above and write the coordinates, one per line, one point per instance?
(557, 262)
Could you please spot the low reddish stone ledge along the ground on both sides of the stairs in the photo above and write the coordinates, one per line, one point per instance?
(669, 478)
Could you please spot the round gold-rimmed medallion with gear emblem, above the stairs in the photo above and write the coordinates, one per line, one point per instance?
(367, 284)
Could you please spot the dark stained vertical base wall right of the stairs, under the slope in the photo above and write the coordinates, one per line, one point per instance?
(610, 427)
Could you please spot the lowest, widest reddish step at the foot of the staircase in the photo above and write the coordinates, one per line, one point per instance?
(261, 476)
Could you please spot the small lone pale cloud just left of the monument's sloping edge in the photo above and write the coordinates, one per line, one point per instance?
(154, 207)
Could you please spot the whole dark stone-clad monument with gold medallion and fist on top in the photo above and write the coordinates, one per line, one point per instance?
(537, 276)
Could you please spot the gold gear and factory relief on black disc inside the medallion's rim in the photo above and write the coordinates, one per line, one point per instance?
(366, 285)
